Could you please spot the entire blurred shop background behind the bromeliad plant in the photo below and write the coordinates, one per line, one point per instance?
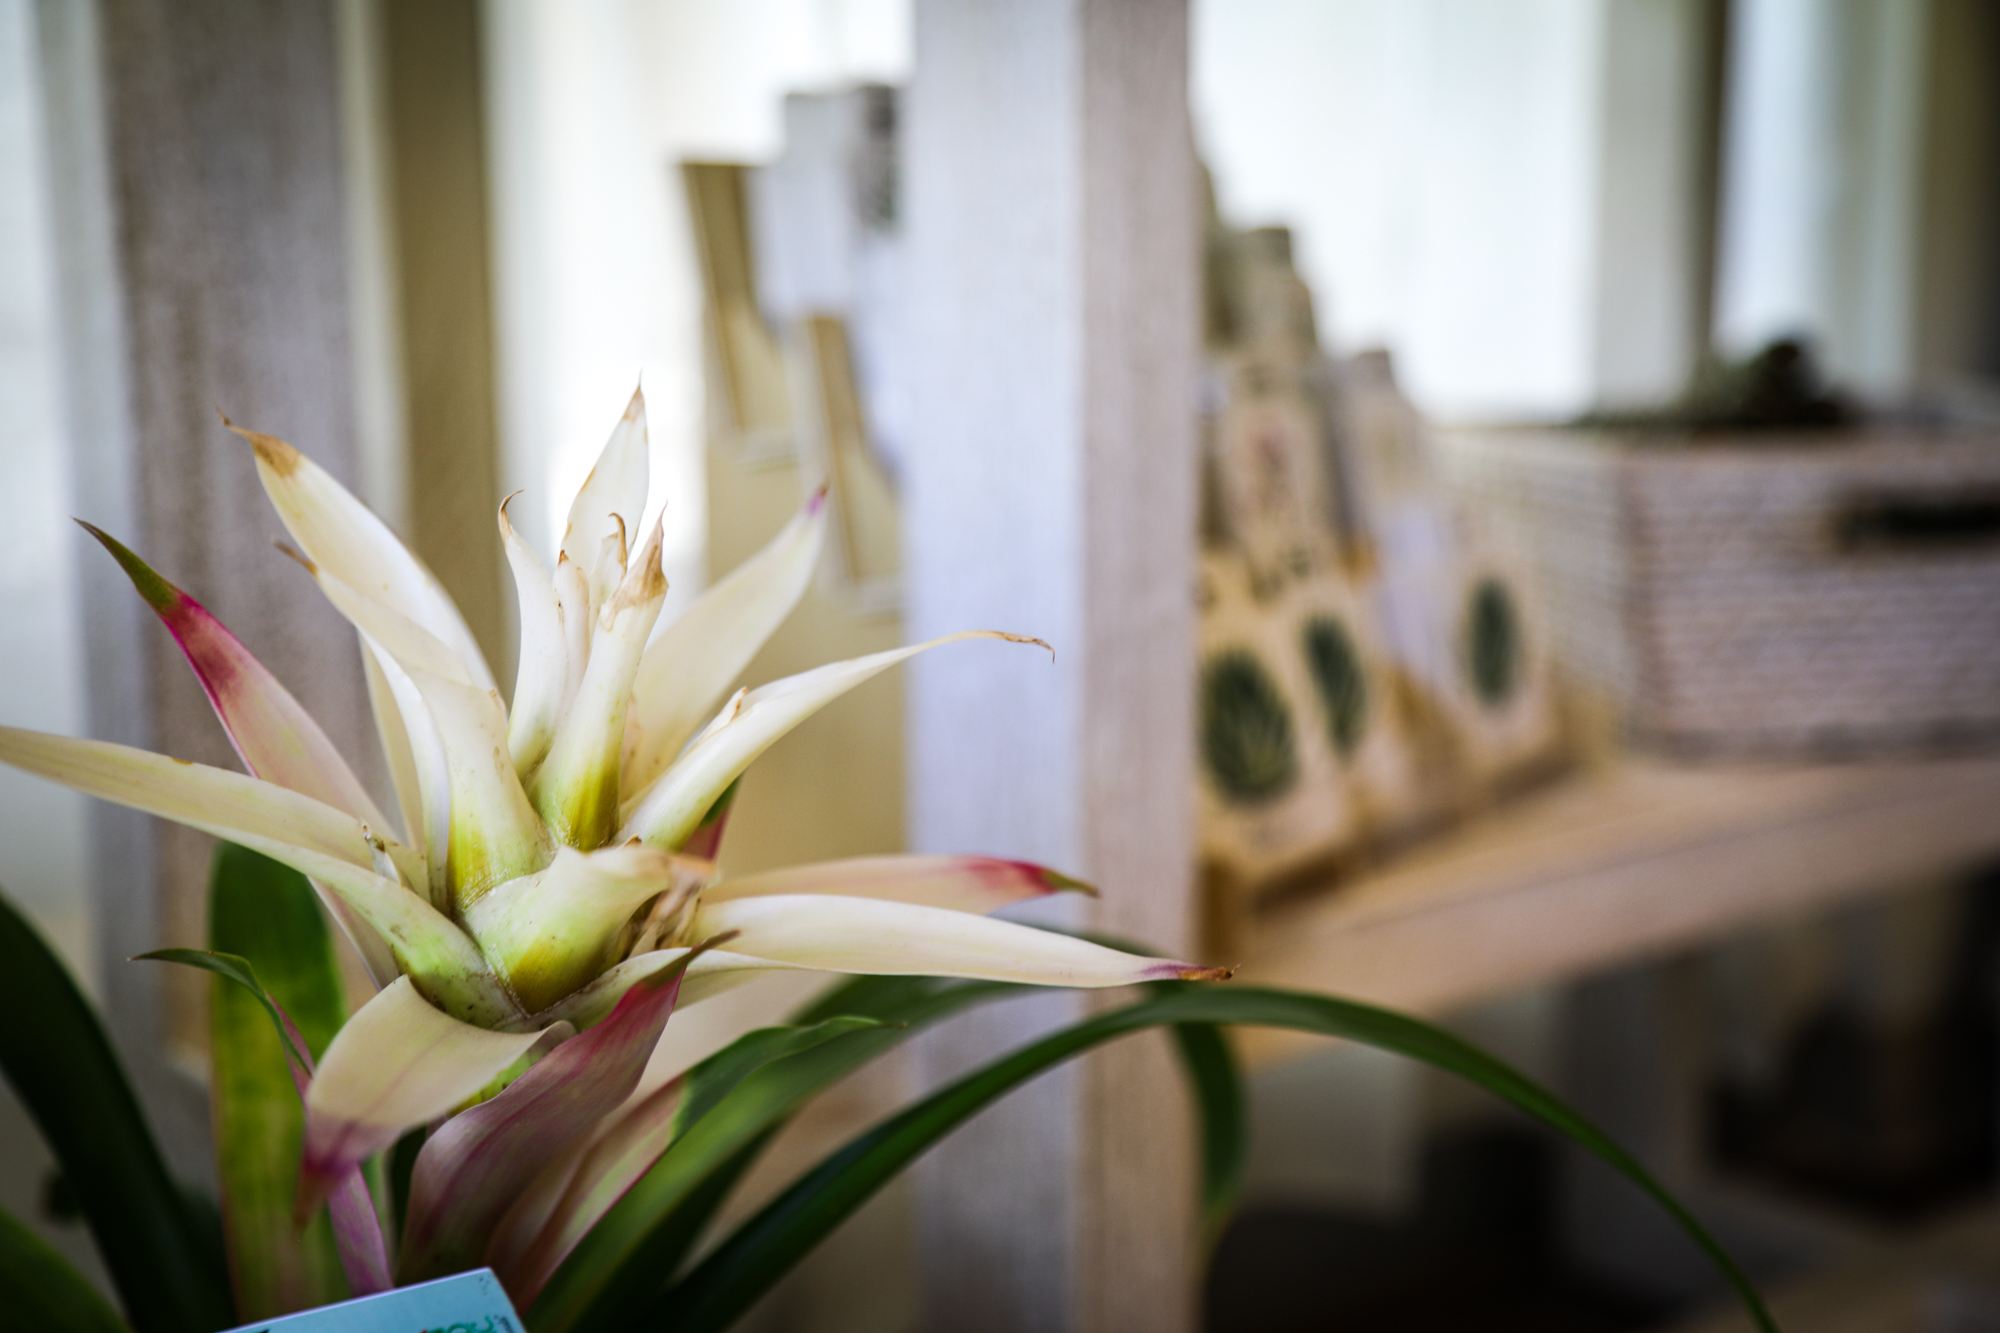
(1515, 487)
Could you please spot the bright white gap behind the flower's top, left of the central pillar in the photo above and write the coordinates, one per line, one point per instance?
(591, 105)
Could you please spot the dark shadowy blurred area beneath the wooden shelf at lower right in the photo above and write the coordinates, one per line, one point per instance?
(1847, 1162)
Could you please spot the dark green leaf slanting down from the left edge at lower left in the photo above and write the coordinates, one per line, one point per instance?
(63, 1068)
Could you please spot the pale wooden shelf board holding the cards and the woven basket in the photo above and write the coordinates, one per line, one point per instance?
(1619, 864)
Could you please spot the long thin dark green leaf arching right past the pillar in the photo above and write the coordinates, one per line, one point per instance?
(719, 1290)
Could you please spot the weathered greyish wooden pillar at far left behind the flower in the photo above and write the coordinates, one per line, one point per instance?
(199, 199)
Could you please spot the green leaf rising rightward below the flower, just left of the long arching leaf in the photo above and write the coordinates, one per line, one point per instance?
(623, 1260)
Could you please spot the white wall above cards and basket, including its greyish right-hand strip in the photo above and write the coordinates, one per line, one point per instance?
(1459, 173)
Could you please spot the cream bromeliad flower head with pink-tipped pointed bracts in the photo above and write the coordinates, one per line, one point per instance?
(549, 890)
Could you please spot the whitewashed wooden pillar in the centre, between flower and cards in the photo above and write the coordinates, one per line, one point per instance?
(1053, 225)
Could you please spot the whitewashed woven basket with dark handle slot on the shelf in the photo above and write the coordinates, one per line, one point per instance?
(1763, 595)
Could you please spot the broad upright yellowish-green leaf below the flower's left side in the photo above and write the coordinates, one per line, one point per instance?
(269, 918)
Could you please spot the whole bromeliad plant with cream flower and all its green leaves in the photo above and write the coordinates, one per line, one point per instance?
(547, 900)
